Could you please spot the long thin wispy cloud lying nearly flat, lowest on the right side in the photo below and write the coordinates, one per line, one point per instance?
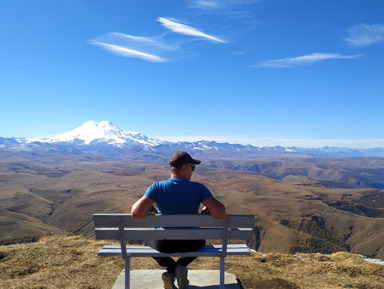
(303, 60)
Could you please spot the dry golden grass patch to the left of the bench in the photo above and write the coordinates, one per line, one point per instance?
(57, 262)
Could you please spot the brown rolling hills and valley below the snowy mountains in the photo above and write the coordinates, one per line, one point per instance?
(57, 193)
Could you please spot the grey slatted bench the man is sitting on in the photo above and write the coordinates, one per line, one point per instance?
(123, 227)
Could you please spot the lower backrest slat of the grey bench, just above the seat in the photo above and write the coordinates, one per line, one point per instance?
(172, 234)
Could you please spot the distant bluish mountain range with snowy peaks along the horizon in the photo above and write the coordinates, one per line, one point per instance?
(105, 138)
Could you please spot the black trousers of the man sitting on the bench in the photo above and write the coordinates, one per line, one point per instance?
(175, 246)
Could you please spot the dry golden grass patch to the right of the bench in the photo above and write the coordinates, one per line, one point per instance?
(316, 271)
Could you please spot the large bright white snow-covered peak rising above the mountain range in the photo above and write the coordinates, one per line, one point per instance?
(102, 132)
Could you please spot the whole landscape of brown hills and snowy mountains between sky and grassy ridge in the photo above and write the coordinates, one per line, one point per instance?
(302, 203)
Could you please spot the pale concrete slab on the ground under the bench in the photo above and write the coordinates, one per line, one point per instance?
(151, 279)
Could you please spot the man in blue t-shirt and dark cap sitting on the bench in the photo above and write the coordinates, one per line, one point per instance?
(178, 195)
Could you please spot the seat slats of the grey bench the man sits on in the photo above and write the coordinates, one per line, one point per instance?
(145, 251)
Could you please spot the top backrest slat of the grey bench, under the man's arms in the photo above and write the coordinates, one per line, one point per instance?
(110, 220)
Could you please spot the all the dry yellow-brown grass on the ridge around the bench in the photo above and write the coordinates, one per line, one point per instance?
(72, 262)
